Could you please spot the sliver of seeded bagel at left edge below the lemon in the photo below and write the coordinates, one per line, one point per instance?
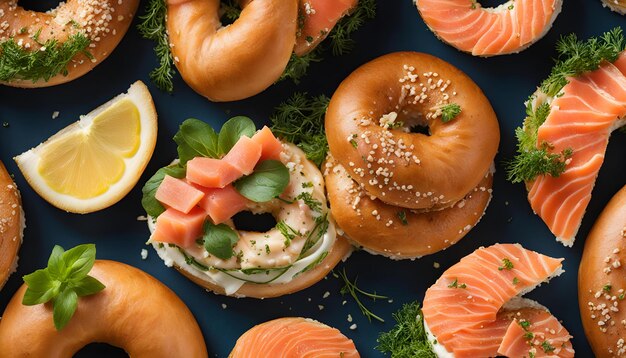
(11, 224)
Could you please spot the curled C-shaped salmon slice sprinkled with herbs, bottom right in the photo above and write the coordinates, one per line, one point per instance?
(468, 309)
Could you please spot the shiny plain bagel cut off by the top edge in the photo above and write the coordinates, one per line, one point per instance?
(234, 62)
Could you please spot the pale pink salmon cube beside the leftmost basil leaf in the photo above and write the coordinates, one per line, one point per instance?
(178, 194)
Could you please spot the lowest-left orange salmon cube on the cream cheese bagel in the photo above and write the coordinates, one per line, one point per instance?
(175, 227)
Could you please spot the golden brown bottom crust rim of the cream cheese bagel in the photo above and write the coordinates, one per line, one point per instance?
(339, 251)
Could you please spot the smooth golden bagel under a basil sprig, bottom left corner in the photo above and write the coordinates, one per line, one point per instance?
(135, 312)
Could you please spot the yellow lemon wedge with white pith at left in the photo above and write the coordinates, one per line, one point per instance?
(93, 163)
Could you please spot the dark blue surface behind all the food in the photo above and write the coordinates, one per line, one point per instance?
(506, 80)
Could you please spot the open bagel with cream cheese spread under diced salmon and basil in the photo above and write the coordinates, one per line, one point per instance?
(267, 265)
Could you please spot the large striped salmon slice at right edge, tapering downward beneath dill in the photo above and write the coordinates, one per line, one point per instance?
(581, 119)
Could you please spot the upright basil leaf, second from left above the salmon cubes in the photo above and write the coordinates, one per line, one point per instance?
(195, 139)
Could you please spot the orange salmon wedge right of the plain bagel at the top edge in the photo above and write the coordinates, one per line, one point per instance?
(318, 19)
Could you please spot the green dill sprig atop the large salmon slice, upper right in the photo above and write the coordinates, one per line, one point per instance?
(576, 57)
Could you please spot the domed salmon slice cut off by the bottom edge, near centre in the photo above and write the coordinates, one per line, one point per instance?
(293, 337)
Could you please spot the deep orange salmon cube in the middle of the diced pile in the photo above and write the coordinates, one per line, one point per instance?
(222, 204)
